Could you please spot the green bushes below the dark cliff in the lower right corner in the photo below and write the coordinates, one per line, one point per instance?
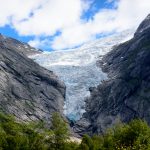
(132, 136)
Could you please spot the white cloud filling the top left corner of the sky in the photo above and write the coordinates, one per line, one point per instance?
(17, 10)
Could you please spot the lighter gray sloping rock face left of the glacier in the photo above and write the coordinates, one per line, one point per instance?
(27, 90)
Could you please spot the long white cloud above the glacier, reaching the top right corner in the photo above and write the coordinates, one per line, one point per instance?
(127, 14)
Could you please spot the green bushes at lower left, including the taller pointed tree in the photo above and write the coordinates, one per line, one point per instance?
(33, 136)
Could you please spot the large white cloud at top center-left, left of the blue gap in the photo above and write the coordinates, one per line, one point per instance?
(53, 16)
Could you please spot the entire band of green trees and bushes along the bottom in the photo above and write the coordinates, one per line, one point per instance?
(34, 136)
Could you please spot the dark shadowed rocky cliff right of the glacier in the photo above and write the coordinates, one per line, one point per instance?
(126, 94)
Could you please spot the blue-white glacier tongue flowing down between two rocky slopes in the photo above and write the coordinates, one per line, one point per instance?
(78, 69)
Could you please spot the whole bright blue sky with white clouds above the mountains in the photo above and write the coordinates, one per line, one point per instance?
(63, 24)
